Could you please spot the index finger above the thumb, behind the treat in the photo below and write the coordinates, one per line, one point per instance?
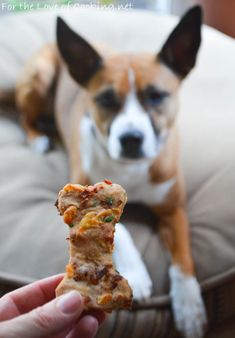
(28, 297)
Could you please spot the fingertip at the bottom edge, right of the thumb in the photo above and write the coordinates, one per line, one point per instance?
(86, 328)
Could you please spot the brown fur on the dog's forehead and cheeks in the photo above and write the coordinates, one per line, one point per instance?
(147, 71)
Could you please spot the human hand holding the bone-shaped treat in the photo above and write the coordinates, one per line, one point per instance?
(32, 311)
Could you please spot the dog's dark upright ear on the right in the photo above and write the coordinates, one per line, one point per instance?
(180, 50)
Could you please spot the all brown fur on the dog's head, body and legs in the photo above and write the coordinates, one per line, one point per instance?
(72, 99)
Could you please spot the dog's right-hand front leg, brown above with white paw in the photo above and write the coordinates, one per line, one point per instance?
(188, 308)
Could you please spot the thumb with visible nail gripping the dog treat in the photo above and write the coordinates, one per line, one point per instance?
(54, 317)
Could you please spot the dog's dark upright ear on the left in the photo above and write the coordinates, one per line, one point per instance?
(82, 60)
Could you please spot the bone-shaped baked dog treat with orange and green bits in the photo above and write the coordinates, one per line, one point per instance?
(91, 213)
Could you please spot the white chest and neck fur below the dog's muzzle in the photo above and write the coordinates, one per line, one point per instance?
(134, 177)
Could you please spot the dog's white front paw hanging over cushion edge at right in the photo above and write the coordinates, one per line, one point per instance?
(187, 304)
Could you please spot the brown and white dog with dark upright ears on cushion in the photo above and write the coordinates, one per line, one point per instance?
(117, 117)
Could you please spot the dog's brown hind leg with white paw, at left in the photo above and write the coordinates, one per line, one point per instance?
(33, 95)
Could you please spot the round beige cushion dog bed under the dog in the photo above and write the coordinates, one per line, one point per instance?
(32, 236)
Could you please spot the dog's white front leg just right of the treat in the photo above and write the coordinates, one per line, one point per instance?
(130, 264)
